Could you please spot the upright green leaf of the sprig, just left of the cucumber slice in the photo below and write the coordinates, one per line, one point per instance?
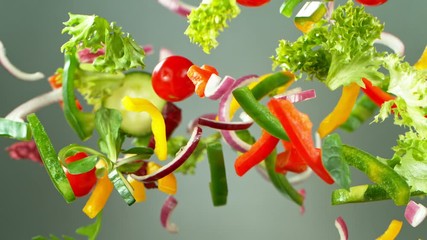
(108, 123)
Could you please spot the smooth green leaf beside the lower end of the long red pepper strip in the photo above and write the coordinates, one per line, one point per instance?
(334, 162)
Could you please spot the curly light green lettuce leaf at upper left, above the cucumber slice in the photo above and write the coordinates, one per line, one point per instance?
(91, 31)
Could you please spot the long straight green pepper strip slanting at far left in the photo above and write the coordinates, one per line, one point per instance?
(50, 158)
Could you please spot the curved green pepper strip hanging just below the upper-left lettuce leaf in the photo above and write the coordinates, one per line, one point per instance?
(81, 122)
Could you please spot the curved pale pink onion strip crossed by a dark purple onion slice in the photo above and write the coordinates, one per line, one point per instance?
(224, 114)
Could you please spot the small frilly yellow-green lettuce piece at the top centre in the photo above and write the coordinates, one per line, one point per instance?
(208, 20)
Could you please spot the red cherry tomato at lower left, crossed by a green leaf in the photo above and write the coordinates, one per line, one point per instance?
(83, 183)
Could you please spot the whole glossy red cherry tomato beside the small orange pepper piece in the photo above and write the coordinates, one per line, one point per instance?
(170, 81)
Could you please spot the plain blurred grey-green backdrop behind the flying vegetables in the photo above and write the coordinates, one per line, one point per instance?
(30, 205)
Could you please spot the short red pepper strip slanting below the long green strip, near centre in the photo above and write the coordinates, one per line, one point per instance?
(258, 152)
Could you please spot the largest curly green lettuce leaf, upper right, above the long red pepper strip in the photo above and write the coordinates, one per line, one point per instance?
(337, 52)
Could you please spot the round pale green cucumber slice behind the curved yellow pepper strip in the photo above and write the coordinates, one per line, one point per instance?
(138, 85)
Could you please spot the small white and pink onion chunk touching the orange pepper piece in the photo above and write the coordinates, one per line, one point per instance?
(217, 86)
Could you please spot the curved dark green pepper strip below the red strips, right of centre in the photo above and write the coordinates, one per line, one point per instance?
(280, 181)
